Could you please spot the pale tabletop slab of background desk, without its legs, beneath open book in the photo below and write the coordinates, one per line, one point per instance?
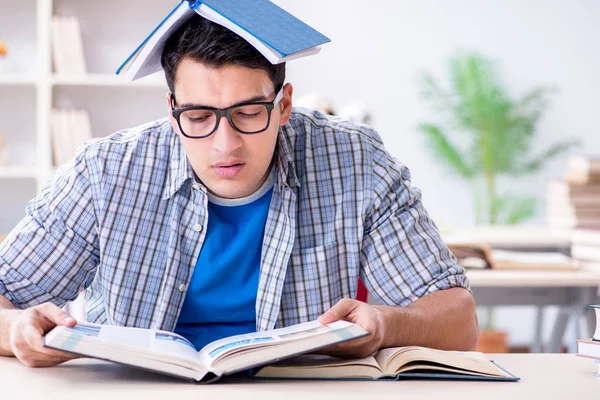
(535, 278)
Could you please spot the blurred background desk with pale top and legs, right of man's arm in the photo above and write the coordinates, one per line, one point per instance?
(572, 291)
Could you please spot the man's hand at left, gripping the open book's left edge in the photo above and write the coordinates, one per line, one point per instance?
(26, 328)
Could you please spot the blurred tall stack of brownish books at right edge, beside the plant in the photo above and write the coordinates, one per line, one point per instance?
(575, 201)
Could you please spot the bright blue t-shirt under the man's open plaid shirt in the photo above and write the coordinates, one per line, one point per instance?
(221, 298)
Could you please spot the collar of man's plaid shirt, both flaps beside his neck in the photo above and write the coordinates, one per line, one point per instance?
(180, 169)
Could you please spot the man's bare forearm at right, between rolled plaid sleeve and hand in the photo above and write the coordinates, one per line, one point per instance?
(444, 320)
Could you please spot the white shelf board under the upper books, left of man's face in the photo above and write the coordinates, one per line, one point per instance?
(107, 80)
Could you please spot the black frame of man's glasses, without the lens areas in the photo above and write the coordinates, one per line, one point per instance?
(226, 112)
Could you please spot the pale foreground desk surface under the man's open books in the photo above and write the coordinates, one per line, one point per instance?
(543, 376)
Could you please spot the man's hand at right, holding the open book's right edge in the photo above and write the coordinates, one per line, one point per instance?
(362, 314)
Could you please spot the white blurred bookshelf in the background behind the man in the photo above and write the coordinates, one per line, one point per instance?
(29, 87)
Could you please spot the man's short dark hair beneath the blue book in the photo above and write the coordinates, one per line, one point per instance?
(215, 46)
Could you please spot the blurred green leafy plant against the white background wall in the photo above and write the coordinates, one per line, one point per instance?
(484, 134)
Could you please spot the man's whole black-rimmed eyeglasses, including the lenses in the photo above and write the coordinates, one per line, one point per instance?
(247, 118)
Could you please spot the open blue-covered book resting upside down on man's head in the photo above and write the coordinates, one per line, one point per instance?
(275, 33)
